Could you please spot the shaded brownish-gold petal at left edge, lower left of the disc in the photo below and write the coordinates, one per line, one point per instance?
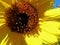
(3, 32)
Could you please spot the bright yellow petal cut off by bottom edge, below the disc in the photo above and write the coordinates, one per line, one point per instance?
(31, 40)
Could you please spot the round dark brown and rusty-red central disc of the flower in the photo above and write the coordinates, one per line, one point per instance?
(21, 17)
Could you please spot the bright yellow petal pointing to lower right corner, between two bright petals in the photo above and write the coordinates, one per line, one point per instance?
(49, 38)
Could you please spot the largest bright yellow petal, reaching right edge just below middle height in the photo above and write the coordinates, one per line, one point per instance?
(51, 27)
